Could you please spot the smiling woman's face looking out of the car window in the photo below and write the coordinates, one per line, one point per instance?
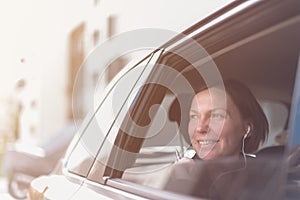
(216, 128)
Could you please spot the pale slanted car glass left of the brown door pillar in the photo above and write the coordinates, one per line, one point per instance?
(98, 131)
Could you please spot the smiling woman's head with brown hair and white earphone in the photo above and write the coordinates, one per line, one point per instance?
(226, 122)
